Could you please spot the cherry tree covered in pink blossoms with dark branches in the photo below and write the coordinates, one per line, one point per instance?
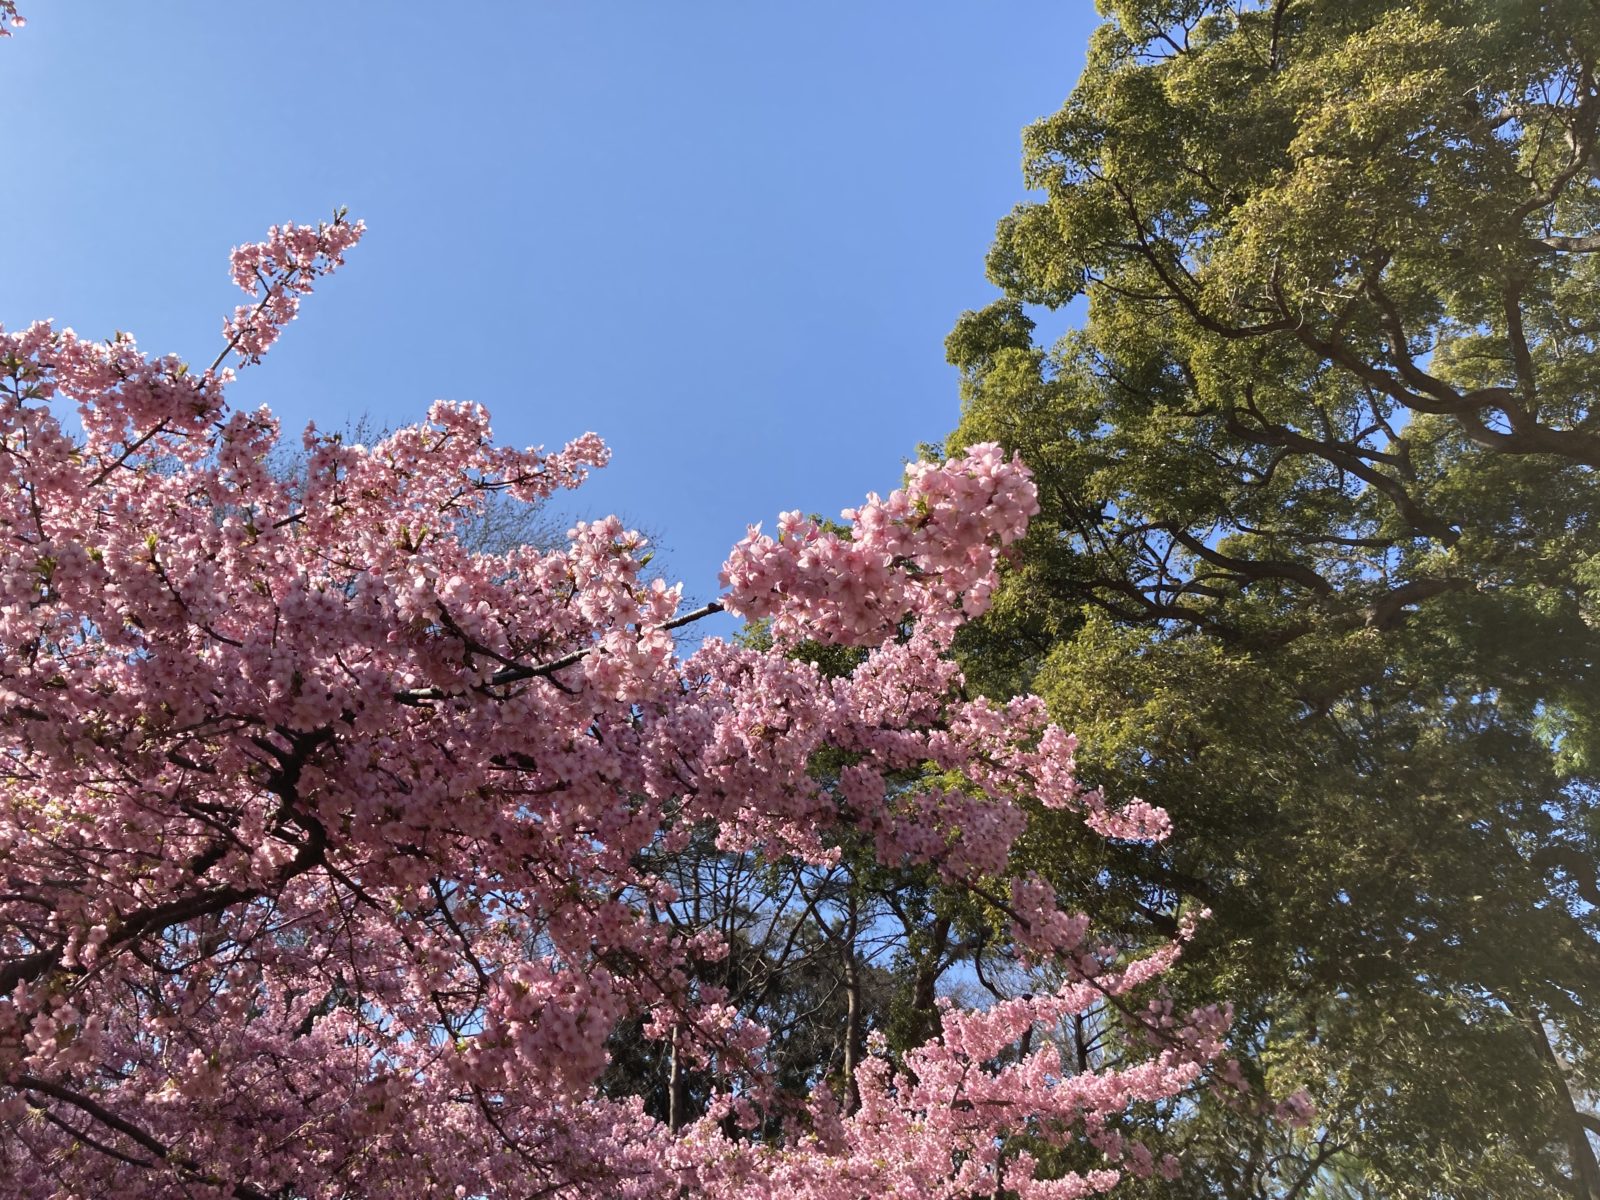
(329, 844)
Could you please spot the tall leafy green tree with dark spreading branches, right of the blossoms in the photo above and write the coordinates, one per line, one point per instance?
(1319, 559)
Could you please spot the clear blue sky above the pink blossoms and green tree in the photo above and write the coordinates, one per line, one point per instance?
(730, 238)
